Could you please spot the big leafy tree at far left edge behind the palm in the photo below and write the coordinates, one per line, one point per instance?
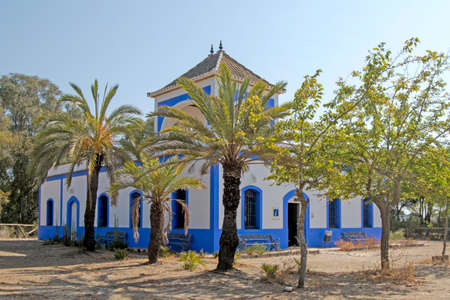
(26, 102)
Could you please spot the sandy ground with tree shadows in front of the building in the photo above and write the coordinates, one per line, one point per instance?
(31, 270)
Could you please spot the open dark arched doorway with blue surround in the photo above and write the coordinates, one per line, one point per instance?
(291, 215)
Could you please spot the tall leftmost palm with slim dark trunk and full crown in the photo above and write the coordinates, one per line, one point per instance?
(91, 139)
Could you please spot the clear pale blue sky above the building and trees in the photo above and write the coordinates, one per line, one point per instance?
(143, 45)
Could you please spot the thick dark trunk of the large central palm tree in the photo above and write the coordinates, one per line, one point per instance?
(229, 239)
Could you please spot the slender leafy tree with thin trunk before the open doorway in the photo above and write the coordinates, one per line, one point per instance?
(303, 149)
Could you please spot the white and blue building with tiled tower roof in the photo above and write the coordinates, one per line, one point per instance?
(264, 208)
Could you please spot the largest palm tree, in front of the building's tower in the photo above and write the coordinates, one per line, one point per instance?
(238, 123)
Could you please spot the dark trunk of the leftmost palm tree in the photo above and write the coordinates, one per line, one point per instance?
(91, 202)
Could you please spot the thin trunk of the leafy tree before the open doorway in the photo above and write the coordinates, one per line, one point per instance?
(301, 239)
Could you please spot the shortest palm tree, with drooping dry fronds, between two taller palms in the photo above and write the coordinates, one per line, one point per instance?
(157, 181)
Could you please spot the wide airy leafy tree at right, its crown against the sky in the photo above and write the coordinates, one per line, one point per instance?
(405, 109)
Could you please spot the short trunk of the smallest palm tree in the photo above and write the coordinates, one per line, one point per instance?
(157, 224)
